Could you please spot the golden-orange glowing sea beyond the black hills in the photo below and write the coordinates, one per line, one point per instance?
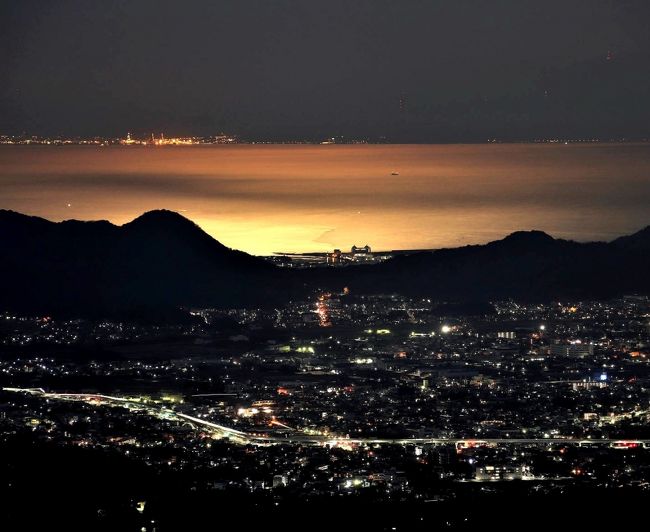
(263, 199)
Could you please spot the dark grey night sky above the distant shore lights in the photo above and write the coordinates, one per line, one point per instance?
(408, 70)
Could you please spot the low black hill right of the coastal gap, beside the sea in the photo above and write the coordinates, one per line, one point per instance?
(526, 265)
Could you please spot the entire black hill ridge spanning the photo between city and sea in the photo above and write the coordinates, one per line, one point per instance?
(162, 260)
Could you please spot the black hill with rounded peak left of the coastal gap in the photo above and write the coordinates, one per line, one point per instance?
(158, 261)
